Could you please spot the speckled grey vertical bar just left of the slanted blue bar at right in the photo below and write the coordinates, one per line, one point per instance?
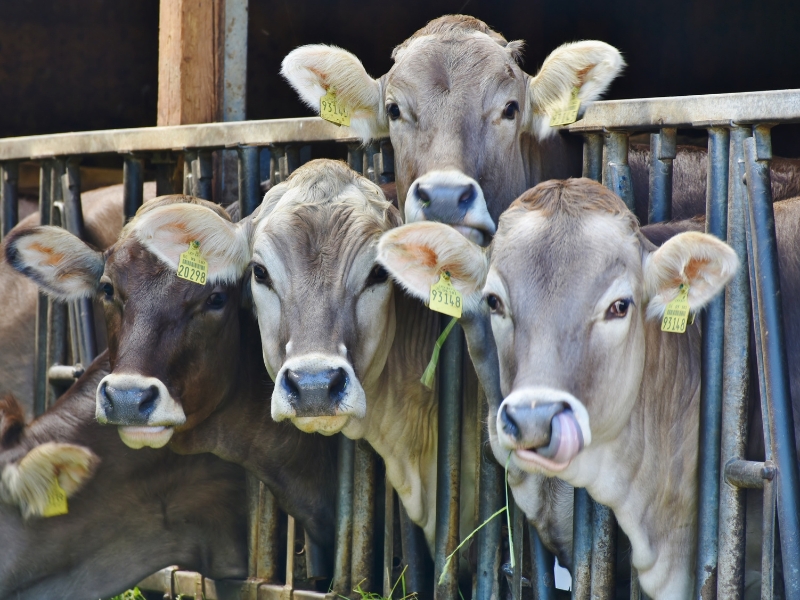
(735, 382)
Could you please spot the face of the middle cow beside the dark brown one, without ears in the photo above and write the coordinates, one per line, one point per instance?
(324, 307)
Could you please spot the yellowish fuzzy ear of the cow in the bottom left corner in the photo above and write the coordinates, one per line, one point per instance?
(26, 483)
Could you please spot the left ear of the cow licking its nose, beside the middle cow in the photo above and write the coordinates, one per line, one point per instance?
(417, 254)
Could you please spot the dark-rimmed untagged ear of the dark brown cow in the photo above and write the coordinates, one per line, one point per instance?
(59, 262)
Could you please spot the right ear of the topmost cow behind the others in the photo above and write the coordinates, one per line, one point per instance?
(590, 66)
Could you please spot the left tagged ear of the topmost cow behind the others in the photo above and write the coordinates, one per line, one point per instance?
(312, 70)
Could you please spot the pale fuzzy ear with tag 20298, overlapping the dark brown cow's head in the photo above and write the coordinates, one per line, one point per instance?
(168, 230)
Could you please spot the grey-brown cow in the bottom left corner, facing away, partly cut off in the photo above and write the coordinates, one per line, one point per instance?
(129, 513)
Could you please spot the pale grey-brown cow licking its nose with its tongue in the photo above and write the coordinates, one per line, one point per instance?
(594, 392)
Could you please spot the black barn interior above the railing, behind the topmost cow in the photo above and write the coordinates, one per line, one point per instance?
(69, 65)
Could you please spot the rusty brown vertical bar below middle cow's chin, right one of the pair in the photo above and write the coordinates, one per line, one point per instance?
(364, 496)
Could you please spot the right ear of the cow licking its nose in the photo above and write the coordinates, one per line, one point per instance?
(698, 260)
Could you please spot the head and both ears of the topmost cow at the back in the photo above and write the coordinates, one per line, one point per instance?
(466, 122)
